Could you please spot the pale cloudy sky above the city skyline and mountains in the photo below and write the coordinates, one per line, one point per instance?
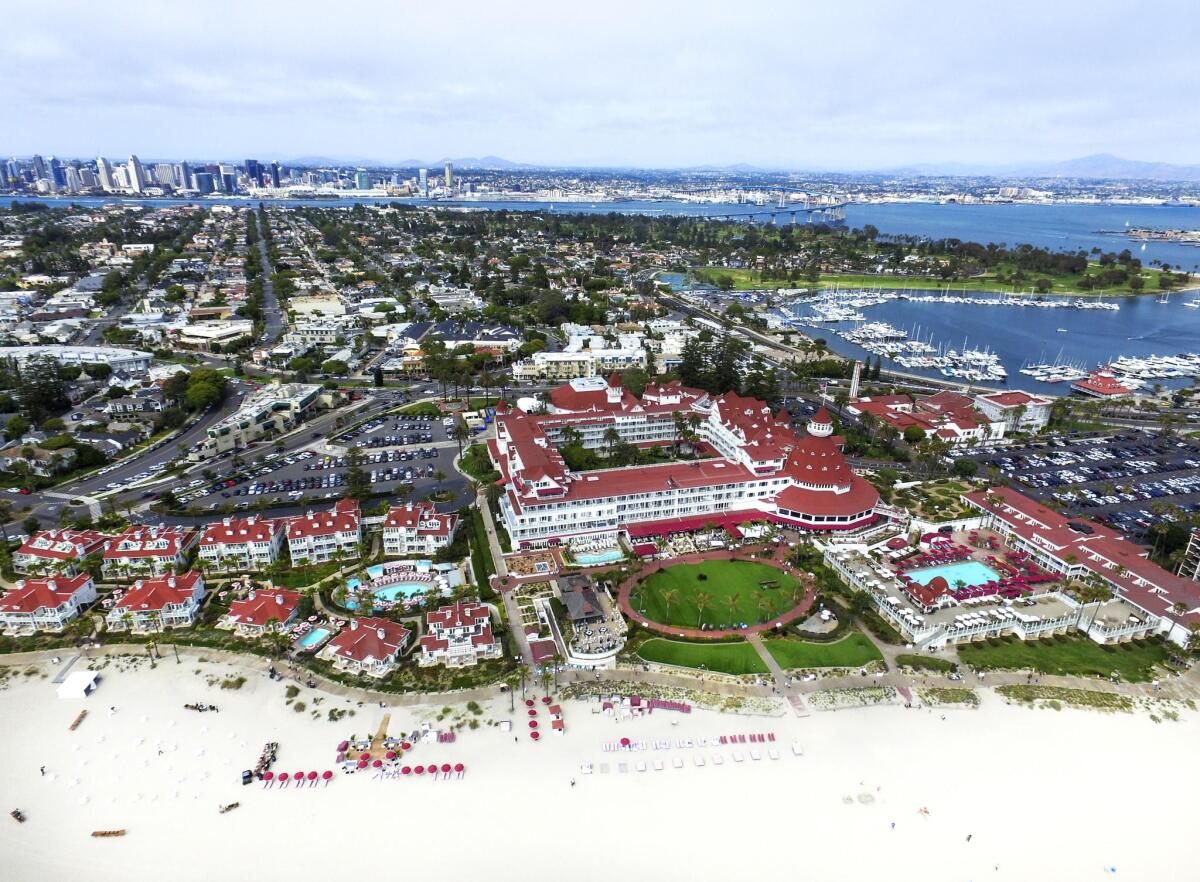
(803, 85)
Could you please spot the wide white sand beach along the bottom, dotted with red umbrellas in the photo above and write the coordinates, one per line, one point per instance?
(1045, 795)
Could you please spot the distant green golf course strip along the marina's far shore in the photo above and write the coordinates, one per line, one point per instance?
(748, 280)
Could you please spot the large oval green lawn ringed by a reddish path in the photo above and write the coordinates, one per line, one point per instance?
(722, 581)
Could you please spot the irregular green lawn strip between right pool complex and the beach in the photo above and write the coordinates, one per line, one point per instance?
(1070, 657)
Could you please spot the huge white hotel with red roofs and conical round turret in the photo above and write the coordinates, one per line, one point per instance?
(763, 470)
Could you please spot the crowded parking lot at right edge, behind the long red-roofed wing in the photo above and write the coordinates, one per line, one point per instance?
(1130, 482)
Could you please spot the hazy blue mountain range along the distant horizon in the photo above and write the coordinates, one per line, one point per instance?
(1099, 166)
